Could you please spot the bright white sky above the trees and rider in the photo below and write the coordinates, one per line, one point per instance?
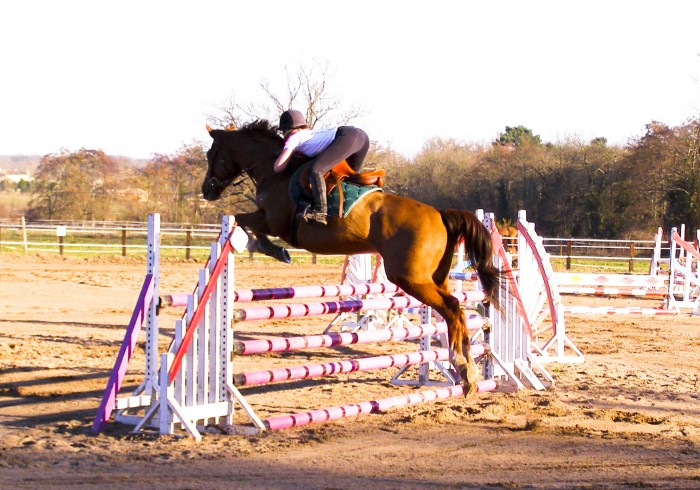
(138, 78)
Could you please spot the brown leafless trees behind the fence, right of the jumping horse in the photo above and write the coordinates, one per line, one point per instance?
(571, 188)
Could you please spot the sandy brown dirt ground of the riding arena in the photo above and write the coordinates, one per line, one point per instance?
(627, 417)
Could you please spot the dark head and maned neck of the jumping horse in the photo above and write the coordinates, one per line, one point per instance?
(251, 150)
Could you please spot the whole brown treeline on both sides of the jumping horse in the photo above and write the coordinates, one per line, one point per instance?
(570, 188)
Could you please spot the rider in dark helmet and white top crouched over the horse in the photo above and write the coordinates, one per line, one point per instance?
(326, 148)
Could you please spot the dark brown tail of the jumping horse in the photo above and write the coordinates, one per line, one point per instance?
(465, 226)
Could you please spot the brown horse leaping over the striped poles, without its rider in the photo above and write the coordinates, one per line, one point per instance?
(416, 241)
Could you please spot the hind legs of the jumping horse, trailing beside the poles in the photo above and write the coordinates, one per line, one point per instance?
(448, 306)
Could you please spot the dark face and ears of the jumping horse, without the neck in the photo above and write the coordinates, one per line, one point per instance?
(222, 166)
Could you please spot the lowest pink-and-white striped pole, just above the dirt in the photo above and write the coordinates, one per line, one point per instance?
(335, 413)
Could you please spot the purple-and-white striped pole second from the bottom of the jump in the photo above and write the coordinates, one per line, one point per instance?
(341, 367)
